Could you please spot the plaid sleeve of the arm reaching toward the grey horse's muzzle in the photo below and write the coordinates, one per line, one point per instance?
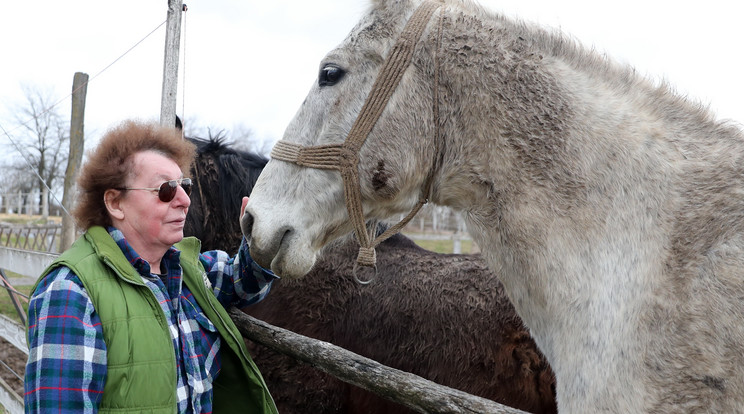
(237, 280)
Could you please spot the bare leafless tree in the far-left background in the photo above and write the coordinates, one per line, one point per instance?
(42, 139)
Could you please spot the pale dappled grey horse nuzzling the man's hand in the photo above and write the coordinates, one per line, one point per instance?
(612, 208)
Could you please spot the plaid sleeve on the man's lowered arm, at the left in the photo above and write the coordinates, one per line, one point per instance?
(66, 369)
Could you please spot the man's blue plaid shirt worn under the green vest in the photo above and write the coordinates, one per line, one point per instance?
(66, 369)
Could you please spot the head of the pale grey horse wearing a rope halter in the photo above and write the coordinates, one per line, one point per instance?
(290, 223)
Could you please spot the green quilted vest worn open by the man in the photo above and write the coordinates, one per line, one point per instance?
(141, 364)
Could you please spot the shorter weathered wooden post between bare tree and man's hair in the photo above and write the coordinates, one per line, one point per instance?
(77, 139)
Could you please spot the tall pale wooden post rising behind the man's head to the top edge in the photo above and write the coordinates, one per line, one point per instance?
(170, 66)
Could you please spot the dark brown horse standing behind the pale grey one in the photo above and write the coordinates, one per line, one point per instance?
(444, 317)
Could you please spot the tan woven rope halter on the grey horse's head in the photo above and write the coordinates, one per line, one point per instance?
(345, 157)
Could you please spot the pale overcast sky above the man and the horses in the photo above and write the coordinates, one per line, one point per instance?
(250, 63)
